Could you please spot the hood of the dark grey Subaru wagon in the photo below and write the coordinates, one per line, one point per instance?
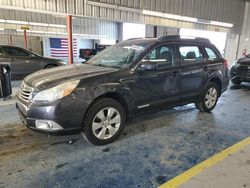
(47, 78)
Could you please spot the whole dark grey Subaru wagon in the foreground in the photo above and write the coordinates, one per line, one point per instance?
(123, 80)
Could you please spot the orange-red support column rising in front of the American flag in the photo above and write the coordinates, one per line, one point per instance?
(70, 39)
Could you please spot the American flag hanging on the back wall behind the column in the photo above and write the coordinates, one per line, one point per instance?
(59, 47)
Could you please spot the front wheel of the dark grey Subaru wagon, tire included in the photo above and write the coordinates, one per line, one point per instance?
(99, 128)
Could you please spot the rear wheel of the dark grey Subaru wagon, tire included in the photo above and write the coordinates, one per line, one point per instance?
(209, 98)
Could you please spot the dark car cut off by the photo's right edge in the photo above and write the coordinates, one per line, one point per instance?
(240, 71)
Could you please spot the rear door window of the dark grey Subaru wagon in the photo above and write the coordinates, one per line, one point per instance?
(190, 54)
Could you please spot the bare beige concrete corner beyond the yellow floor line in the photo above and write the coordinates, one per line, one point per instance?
(232, 172)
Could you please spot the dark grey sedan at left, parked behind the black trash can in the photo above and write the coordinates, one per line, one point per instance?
(24, 62)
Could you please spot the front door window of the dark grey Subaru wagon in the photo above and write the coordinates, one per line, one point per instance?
(162, 56)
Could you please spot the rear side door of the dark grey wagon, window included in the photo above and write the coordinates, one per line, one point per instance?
(193, 68)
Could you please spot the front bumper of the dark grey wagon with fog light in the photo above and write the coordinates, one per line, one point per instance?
(64, 115)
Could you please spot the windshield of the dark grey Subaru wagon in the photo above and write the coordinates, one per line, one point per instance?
(119, 55)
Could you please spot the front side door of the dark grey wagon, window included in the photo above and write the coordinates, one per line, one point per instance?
(158, 84)
